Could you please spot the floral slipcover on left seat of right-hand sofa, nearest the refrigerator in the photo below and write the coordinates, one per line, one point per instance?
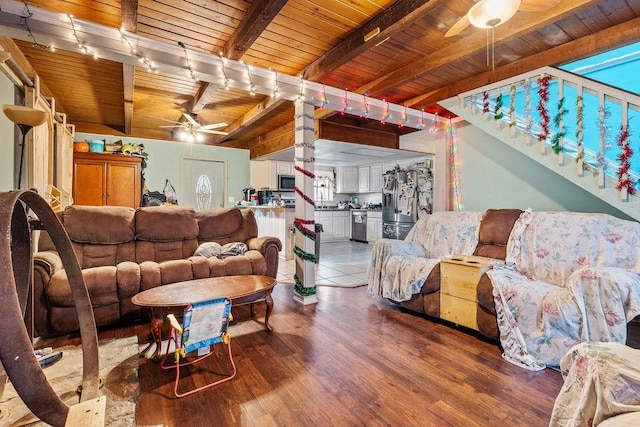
(399, 268)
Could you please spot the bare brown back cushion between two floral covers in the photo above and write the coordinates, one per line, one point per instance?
(494, 232)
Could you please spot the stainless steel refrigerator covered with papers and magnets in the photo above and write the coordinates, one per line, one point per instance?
(407, 194)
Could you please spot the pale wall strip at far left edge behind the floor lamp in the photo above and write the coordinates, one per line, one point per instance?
(7, 135)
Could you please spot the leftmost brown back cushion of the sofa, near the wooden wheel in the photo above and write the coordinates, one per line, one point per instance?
(105, 225)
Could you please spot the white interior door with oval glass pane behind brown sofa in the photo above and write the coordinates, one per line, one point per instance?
(204, 183)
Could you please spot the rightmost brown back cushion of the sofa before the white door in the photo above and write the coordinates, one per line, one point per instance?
(226, 225)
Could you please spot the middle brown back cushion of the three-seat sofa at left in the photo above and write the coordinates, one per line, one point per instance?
(166, 224)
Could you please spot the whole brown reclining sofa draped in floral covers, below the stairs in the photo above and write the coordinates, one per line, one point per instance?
(568, 277)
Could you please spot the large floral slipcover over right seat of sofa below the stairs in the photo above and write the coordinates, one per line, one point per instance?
(569, 277)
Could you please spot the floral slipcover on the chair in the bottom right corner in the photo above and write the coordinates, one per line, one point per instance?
(601, 380)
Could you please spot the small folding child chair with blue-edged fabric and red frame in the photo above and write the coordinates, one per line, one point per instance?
(204, 324)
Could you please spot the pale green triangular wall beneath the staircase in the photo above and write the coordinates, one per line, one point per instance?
(494, 175)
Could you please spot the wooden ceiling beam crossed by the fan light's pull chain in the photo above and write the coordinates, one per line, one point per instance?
(474, 43)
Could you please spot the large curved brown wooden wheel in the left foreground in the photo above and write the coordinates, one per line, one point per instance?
(16, 350)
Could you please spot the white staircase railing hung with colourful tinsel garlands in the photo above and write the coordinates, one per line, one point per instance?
(571, 117)
